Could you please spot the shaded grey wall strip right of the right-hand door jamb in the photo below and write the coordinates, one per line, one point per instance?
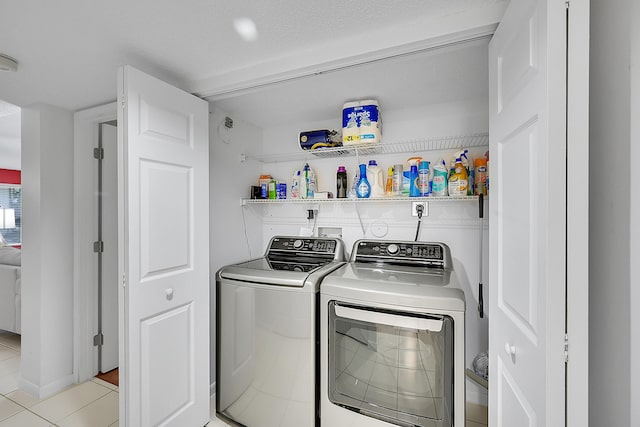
(610, 183)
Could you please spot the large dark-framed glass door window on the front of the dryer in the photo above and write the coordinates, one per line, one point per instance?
(390, 365)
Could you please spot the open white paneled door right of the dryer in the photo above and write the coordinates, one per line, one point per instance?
(528, 214)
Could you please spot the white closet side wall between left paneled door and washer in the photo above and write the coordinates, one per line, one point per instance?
(236, 235)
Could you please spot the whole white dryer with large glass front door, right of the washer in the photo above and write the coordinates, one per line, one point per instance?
(392, 338)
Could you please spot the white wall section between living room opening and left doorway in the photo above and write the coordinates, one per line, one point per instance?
(47, 254)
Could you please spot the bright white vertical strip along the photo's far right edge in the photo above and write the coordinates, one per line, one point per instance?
(634, 225)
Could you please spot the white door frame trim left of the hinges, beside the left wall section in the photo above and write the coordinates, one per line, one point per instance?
(85, 265)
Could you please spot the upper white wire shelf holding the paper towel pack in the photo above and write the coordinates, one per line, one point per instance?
(410, 146)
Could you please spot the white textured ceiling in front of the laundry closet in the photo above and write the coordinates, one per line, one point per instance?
(69, 50)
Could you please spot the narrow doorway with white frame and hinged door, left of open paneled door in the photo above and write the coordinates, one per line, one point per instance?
(95, 128)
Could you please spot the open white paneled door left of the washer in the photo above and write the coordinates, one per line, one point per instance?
(164, 253)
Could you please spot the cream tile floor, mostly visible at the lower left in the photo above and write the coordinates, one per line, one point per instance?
(91, 404)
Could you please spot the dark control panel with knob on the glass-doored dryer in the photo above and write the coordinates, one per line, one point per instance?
(430, 254)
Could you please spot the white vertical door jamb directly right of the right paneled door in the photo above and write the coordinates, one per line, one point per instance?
(577, 387)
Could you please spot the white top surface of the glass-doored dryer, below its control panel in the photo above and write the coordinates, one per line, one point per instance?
(401, 286)
